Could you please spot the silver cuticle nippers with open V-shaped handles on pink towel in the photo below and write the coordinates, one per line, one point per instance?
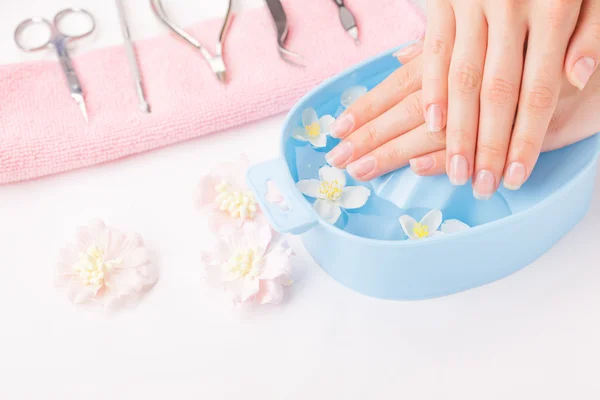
(215, 62)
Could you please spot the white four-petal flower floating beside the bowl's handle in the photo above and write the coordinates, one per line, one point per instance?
(332, 194)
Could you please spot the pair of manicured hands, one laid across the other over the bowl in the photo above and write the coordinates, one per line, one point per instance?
(479, 75)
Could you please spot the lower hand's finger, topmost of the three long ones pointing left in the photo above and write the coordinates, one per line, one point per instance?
(391, 91)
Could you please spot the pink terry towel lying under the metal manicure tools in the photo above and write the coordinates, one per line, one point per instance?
(42, 131)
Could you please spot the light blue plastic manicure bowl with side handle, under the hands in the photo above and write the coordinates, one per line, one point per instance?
(365, 250)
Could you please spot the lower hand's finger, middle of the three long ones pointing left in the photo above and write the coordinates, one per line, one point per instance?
(398, 120)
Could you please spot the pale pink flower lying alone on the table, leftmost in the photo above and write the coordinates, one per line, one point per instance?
(105, 265)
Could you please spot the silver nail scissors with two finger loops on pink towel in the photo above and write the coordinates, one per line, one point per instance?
(59, 40)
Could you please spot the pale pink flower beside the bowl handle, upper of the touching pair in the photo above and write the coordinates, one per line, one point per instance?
(225, 197)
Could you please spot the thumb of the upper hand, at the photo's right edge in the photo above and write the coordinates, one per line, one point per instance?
(584, 49)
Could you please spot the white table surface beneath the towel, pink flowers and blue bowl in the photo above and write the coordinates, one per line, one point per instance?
(533, 335)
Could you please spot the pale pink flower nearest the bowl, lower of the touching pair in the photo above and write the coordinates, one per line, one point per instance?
(249, 264)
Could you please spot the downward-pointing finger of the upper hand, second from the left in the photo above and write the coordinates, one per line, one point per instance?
(464, 88)
